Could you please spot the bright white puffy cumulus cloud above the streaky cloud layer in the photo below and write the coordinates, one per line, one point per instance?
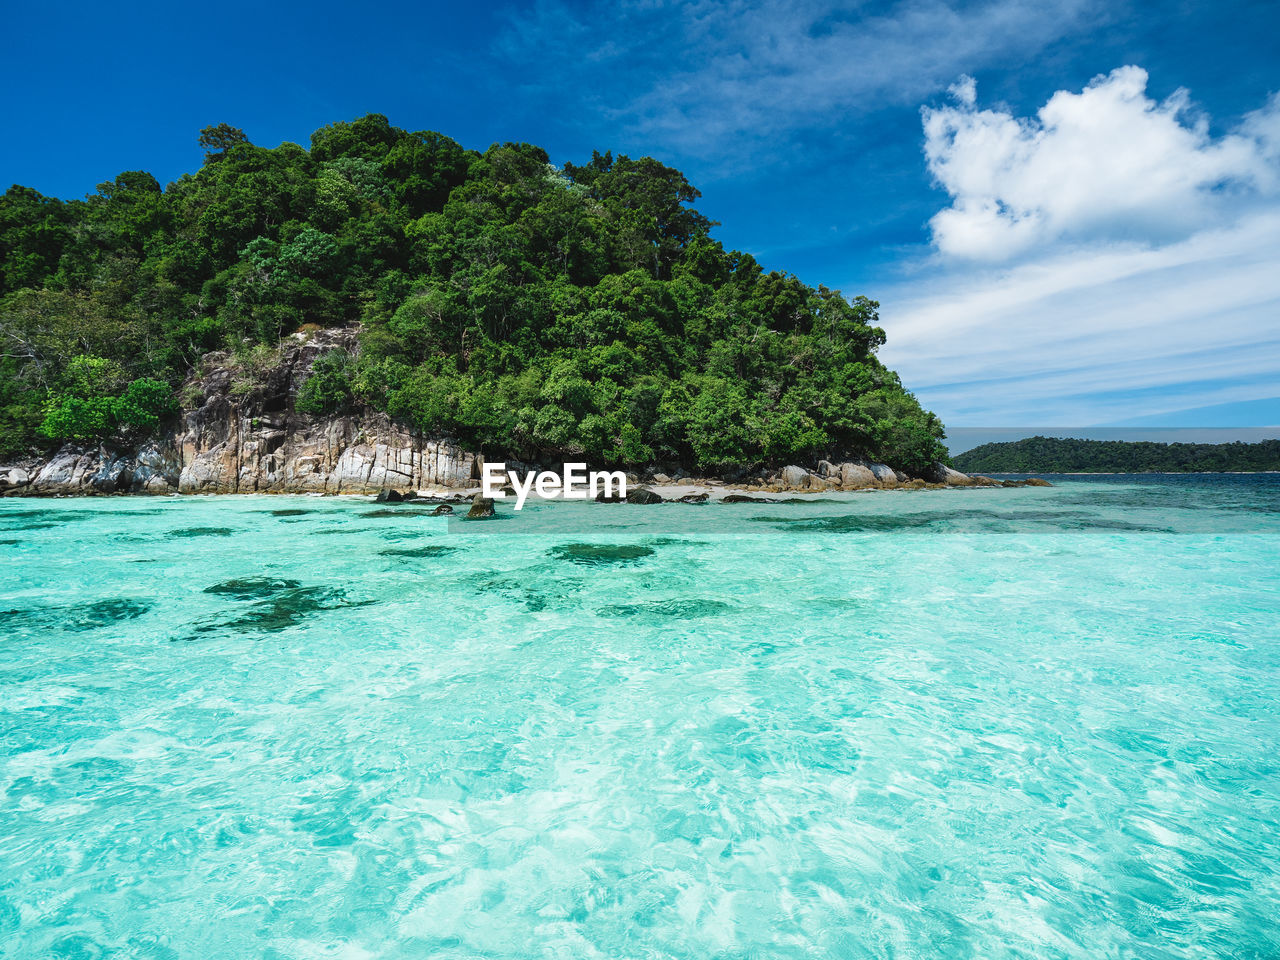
(1107, 163)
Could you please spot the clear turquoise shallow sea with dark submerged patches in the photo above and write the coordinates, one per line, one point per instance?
(1004, 724)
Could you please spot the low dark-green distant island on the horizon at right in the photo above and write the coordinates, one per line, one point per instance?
(1054, 455)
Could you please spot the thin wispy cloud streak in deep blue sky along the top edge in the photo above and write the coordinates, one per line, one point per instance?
(729, 77)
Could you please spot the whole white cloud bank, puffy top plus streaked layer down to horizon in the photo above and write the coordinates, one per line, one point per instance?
(1104, 262)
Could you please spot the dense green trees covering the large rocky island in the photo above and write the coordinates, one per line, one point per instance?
(520, 308)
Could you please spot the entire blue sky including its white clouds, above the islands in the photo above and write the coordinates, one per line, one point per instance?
(1069, 211)
